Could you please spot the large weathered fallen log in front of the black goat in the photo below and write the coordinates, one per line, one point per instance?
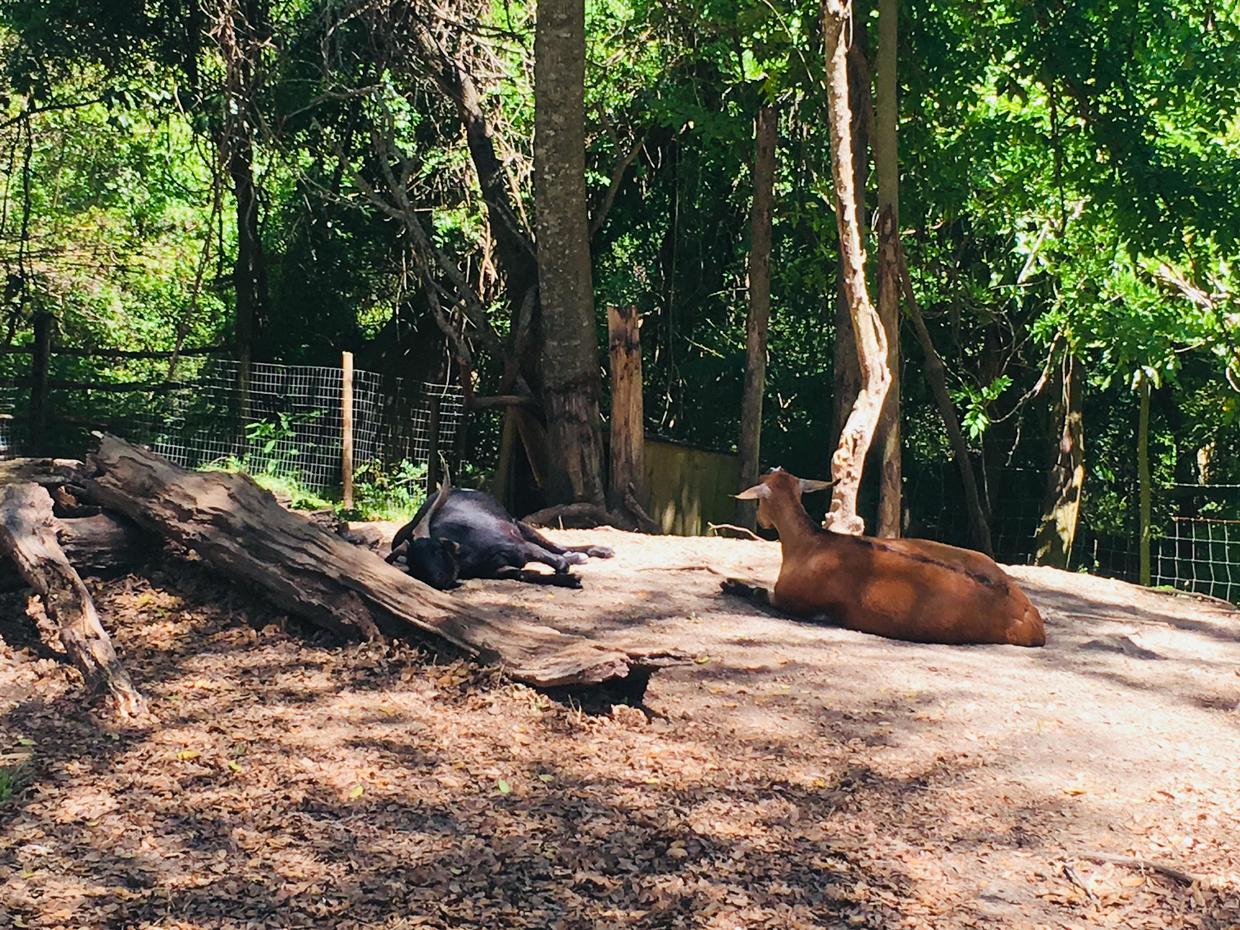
(240, 530)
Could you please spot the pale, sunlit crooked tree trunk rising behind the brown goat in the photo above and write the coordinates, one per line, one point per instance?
(859, 432)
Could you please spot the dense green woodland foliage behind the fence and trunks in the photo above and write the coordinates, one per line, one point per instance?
(1068, 204)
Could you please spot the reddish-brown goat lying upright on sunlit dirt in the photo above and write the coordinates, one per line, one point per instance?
(906, 590)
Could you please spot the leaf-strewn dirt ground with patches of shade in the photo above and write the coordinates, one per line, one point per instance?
(793, 777)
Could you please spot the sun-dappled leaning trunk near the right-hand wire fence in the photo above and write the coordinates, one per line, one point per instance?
(1061, 511)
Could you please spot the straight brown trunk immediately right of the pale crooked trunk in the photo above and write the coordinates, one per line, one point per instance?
(887, 167)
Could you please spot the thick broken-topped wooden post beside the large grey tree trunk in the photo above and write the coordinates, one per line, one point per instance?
(628, 416)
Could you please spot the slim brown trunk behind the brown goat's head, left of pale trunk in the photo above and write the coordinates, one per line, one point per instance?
(767, 136)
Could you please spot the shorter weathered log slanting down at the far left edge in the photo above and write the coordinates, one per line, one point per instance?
(28, 535)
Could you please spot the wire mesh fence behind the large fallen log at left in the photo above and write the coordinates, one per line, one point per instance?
(286, 421)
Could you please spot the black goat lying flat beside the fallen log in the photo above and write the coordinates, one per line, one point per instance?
(463, 534)
